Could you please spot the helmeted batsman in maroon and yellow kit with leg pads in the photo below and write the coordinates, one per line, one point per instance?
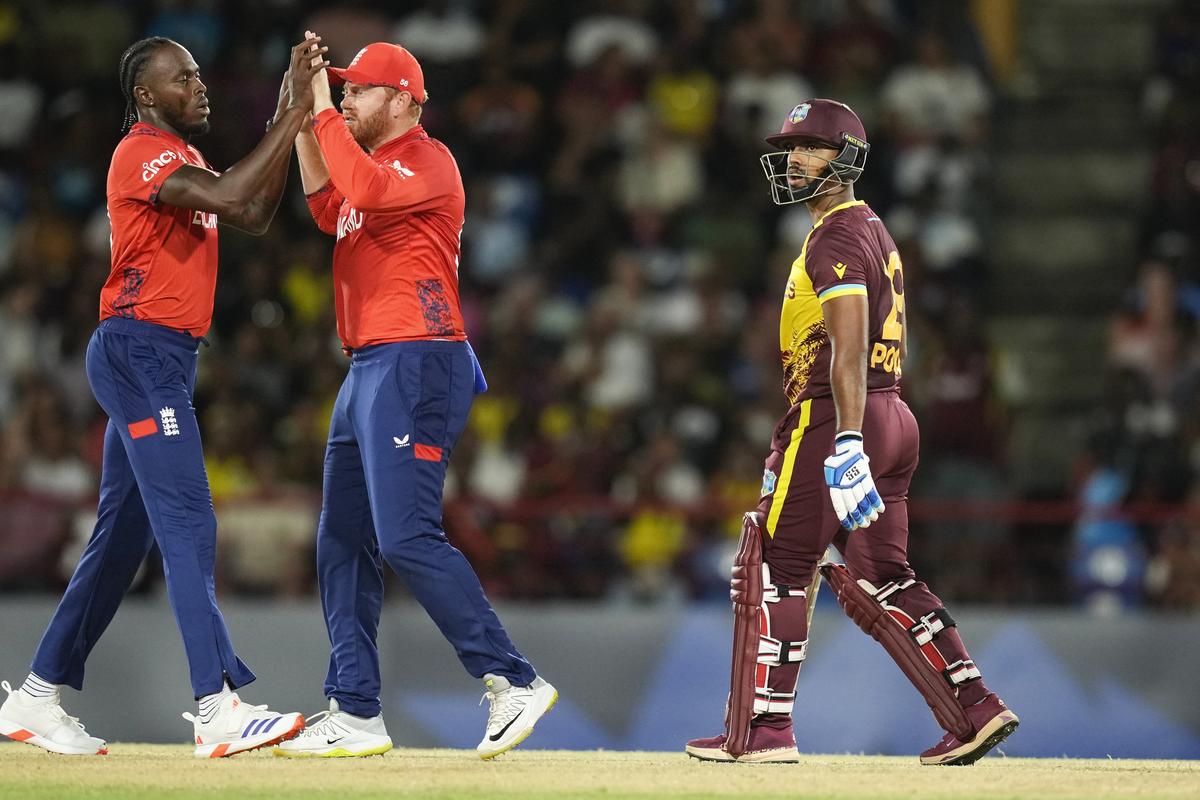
(839, 471)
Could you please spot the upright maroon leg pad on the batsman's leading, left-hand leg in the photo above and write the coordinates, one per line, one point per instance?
(746, 592)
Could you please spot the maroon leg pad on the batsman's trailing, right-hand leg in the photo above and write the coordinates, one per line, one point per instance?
(874, 619)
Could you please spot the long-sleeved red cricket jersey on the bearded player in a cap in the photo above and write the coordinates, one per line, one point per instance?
(398, 214)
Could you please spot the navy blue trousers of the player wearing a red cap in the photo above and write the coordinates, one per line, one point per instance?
(398, 417)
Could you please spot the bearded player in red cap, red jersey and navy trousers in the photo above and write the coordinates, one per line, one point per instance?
(394, 199)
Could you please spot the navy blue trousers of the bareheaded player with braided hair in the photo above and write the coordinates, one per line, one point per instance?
(153, 488)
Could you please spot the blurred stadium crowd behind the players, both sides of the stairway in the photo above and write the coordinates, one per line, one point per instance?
(622, 264)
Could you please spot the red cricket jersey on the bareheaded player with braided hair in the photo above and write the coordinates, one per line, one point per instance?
(164, 258)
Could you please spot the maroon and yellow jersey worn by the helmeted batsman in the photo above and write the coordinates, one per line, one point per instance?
(848, 252)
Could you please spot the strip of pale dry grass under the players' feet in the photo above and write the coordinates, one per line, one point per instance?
(171, 772)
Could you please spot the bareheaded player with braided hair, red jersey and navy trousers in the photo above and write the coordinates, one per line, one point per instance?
(164, 202)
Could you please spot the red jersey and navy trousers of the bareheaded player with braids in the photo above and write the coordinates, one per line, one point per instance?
(141, 363)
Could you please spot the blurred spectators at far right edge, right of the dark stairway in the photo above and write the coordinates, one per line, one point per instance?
(1145, 444)
